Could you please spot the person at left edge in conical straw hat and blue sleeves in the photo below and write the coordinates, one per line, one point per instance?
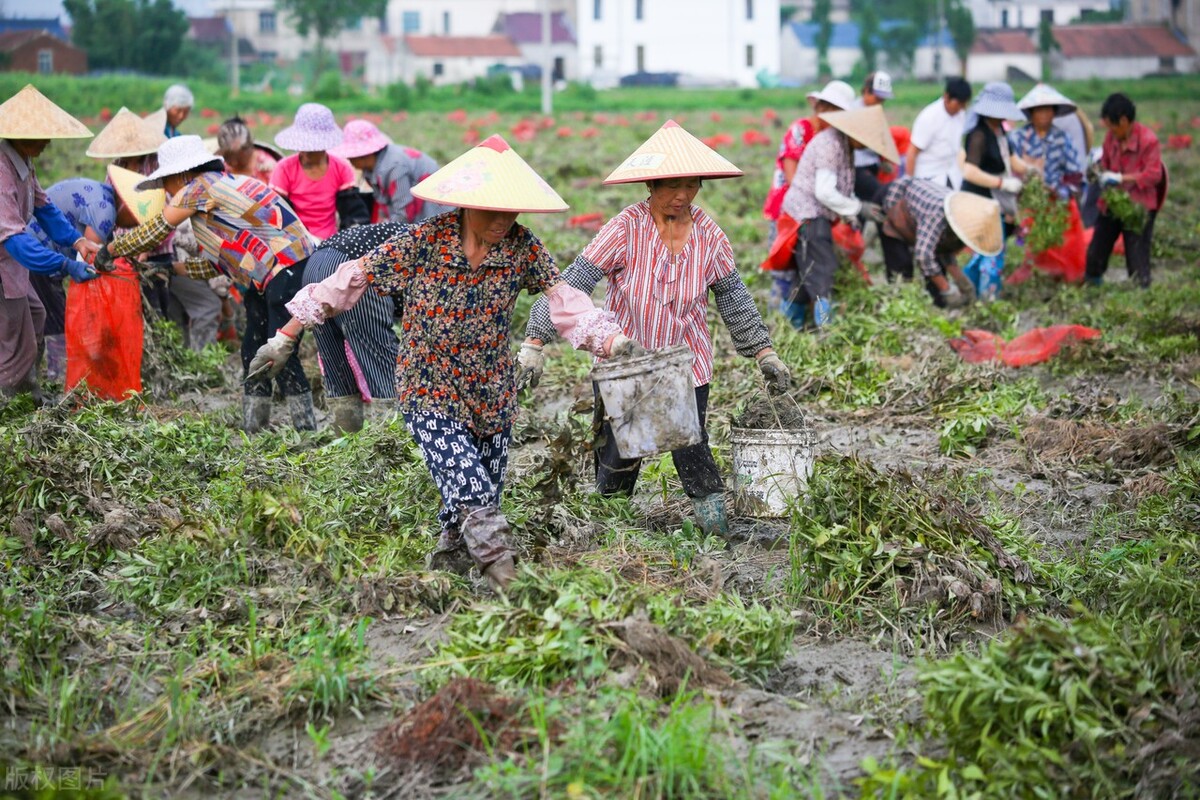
(28, 123)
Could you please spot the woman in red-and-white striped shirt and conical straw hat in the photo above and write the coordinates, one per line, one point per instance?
(662, 257)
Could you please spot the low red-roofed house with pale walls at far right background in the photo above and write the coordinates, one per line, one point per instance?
(1119, 52)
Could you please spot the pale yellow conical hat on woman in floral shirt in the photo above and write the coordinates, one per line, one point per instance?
(494, 178)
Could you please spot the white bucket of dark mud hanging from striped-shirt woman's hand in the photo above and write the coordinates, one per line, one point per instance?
(772, 467)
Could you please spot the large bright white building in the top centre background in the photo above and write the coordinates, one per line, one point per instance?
(724, 40)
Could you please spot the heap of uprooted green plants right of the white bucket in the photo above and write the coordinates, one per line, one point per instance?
(886, 551)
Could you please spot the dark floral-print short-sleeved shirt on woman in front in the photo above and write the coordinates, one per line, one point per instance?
(455, 356)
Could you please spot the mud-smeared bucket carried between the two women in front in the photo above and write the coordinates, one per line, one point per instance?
(651, 402)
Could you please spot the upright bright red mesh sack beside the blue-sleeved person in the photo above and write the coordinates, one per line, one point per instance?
(104, 332)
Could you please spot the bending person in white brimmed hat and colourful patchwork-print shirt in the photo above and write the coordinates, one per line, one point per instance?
(248, 233)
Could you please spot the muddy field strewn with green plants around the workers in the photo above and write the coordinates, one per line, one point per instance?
(988, 591)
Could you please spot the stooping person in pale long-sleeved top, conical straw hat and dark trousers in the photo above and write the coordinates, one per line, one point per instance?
(823, 193)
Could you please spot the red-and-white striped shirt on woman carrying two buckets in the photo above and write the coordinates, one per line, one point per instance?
(659, 299)
